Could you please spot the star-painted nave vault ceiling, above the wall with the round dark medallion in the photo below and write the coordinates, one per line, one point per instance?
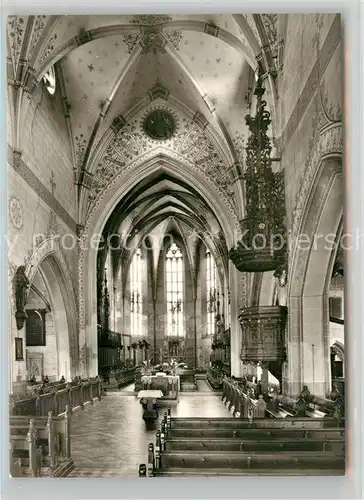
(116, 59)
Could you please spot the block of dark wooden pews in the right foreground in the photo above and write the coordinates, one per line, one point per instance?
(229, 446)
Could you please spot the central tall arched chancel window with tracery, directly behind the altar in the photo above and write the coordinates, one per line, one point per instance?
(174, 287)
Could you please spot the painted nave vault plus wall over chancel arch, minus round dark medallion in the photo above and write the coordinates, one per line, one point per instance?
(114, 69)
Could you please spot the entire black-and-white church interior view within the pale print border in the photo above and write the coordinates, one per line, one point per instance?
(176, 272)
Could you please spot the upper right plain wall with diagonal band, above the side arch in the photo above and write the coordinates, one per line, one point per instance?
(310, 93)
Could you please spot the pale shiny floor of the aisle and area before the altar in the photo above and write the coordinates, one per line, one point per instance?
(110, 438)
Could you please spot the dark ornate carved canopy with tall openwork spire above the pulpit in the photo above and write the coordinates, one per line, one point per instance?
(263, 244)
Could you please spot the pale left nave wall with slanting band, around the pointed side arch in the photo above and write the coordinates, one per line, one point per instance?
(42, 205)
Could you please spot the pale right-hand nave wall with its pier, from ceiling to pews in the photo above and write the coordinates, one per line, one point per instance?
(310, 109)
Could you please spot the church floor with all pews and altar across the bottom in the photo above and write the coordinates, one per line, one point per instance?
(220, 426)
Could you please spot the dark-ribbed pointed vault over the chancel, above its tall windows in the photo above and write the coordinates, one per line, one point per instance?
(158, 208)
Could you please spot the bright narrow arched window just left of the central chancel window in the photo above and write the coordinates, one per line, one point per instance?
(136, 295)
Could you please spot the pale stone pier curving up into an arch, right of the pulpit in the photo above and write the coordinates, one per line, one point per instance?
(311, 254)
